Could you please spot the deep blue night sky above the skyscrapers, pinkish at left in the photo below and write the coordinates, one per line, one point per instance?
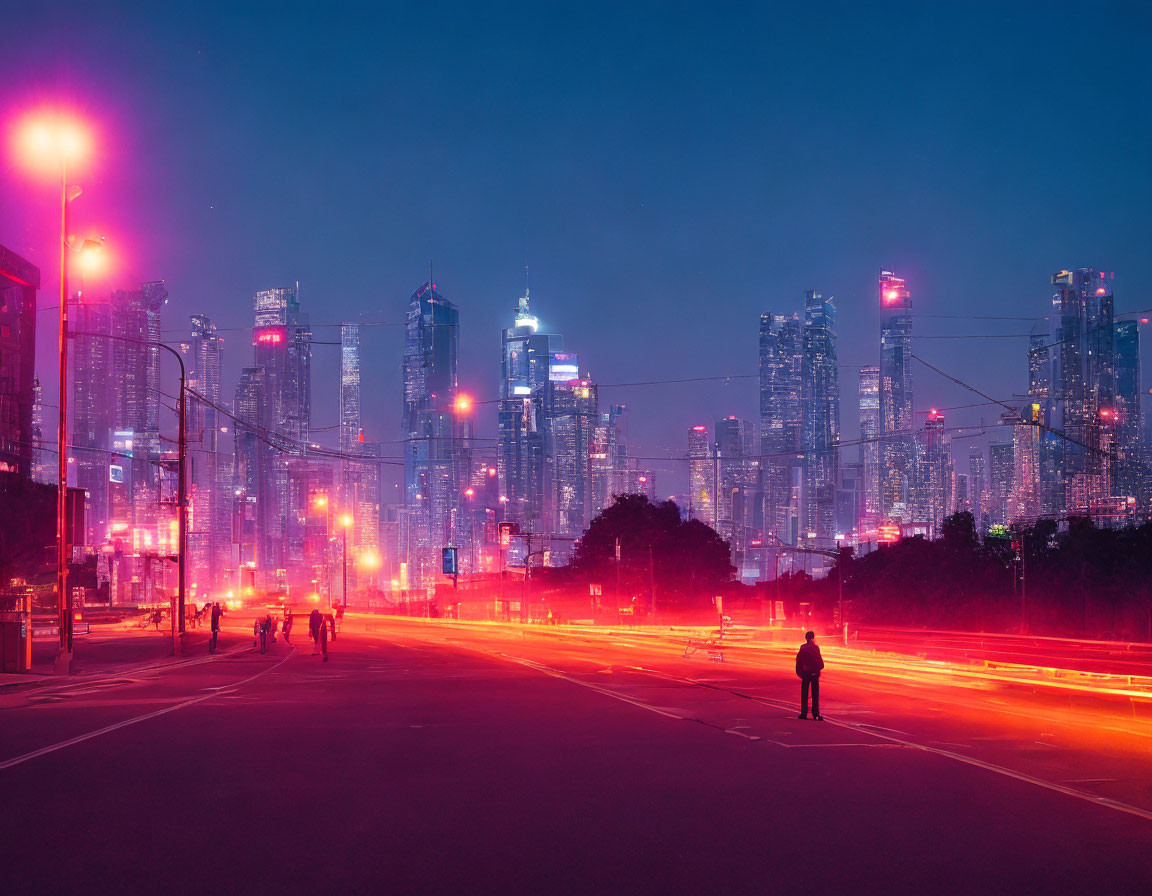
(668, 172)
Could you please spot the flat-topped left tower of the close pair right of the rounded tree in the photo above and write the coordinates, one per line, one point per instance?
(782, 426)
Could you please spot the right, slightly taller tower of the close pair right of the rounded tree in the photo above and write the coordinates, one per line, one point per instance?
(821, 414)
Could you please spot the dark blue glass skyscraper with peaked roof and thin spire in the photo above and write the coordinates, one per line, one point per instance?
(437, 461)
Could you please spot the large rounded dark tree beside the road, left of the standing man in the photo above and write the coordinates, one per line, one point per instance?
(687, 560)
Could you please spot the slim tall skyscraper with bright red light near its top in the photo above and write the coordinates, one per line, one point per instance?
(896, 398)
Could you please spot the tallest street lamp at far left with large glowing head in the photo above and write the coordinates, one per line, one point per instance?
(49, 142)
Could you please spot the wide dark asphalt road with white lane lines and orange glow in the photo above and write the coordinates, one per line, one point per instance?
(430, 758)
